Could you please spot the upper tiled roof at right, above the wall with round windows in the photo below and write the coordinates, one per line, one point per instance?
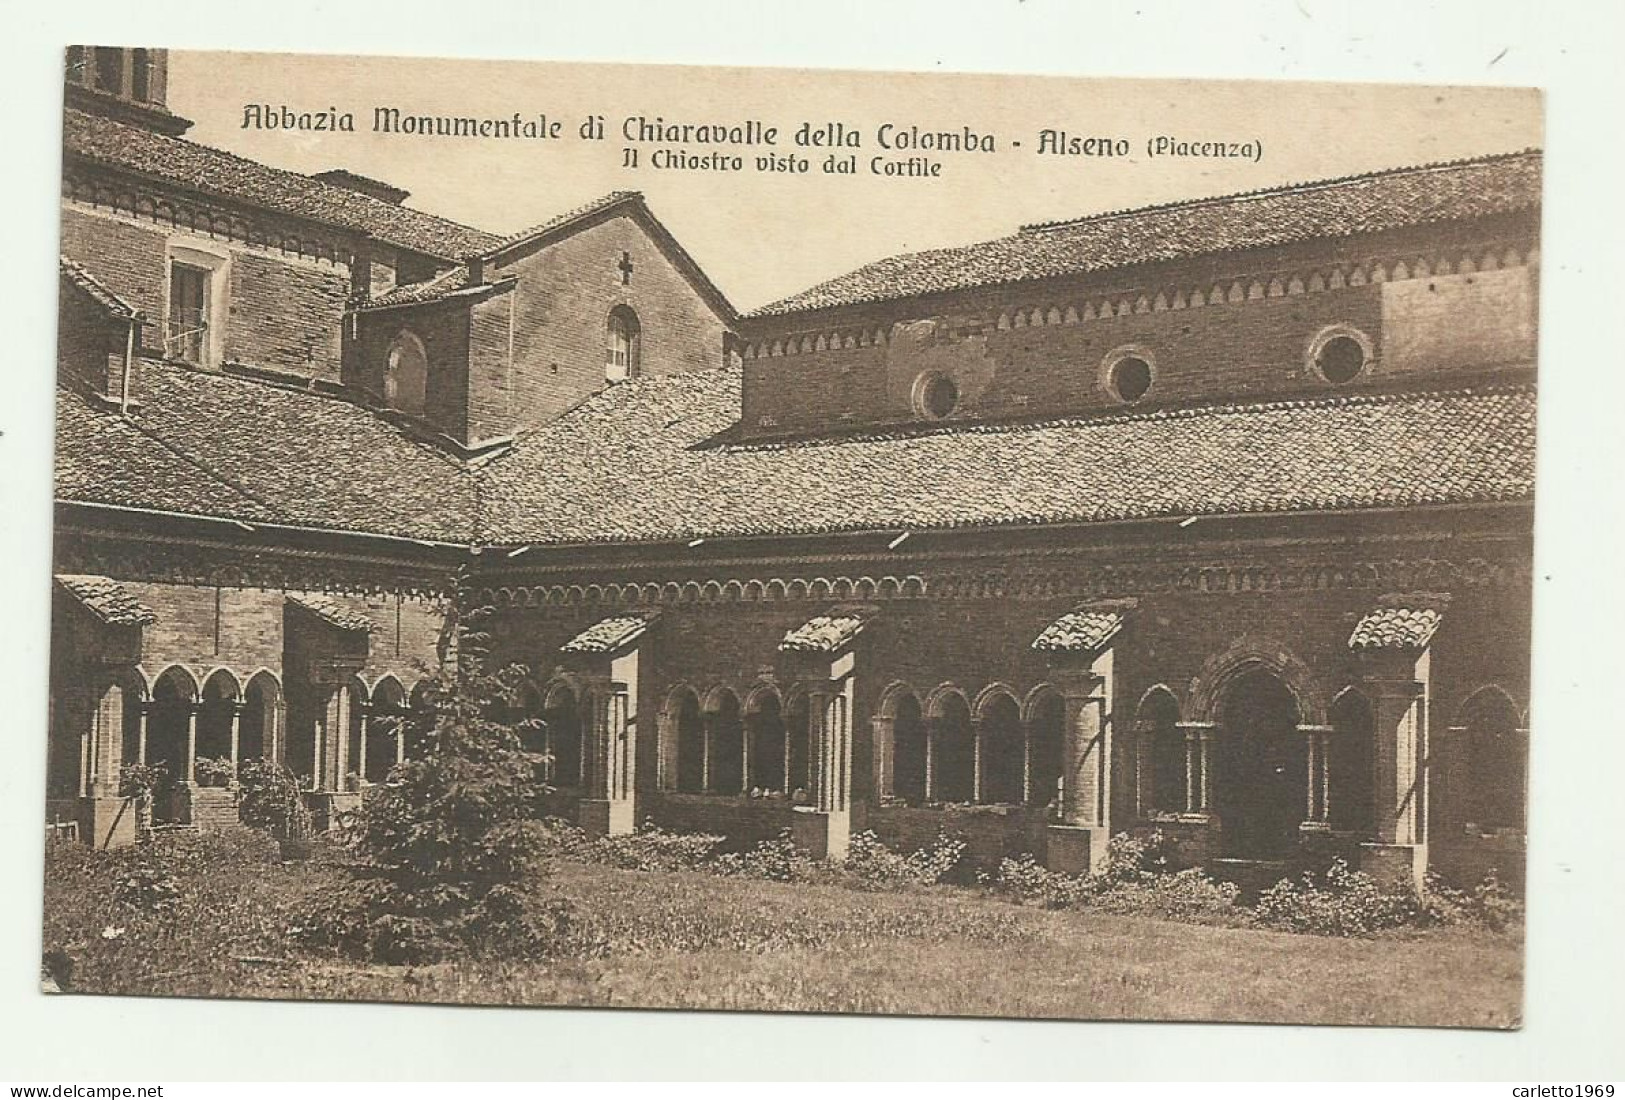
(1254, 220)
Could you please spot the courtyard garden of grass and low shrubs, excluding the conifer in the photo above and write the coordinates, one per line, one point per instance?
(667, 922)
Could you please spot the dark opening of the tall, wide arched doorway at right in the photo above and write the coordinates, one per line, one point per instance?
(1263, 768)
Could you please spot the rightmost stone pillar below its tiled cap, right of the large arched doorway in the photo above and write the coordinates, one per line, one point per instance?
(1400, 782)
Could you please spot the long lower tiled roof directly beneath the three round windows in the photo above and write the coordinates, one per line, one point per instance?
(633, 464)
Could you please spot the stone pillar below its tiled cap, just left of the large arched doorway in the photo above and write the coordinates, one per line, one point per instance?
(1078, 846)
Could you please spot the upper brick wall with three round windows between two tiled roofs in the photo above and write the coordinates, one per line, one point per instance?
(1042, 350)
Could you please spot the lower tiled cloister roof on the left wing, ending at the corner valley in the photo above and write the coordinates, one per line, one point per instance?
(212, 444)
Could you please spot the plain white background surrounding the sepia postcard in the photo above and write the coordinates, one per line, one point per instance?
(1577, 958)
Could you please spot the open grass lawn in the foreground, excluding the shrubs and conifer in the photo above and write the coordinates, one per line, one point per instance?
(698, 942)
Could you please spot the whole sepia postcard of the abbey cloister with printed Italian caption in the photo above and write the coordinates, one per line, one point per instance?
(651, 537)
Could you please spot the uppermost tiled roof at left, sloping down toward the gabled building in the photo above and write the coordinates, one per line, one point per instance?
(230, 176)
